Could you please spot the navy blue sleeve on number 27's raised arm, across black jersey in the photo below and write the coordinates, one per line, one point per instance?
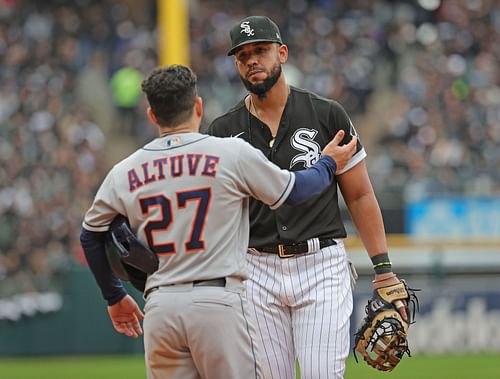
(312, 181)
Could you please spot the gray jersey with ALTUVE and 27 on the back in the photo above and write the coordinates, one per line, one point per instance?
(174, 192)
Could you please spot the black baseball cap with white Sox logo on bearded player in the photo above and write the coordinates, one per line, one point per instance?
(254, 29)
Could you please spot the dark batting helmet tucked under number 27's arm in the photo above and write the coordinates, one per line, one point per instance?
(128, 257)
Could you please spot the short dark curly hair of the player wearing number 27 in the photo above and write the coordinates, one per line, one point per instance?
(171, 93)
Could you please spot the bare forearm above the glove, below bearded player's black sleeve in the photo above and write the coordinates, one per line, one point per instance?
(367, 218)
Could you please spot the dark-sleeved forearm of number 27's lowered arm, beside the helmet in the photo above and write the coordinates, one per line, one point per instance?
(94, 249)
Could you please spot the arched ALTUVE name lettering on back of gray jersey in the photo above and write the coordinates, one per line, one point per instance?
(173, 167)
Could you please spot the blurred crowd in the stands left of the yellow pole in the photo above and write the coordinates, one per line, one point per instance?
(57, 108)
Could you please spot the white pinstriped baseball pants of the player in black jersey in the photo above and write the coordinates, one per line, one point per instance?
(302, 307)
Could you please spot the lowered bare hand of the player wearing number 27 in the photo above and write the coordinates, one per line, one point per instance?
(125, 316)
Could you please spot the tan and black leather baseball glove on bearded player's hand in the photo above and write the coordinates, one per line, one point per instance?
(382, 338)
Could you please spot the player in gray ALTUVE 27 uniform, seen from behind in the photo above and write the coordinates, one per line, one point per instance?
(186, 195)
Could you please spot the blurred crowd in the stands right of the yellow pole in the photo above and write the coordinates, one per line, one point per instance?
(421, 80)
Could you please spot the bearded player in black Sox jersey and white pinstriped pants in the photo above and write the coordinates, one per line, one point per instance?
(299, 286)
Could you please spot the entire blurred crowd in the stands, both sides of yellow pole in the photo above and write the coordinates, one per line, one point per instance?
(421, 80)
